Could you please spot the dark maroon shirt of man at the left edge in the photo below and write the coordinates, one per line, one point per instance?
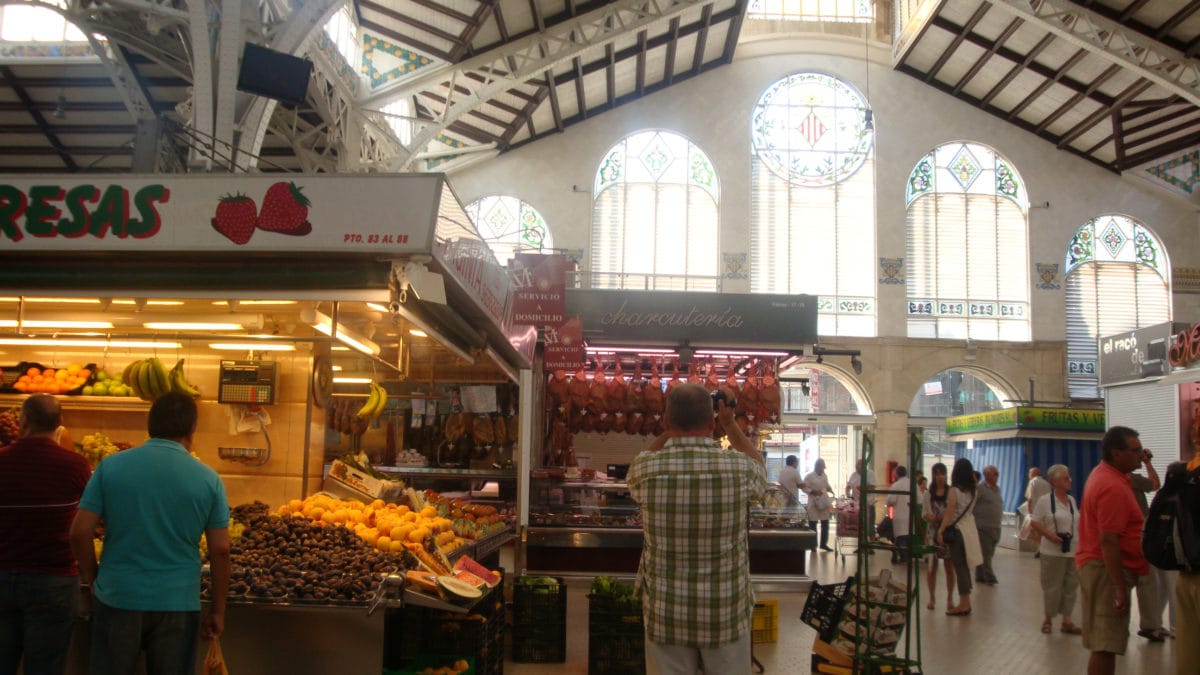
(40, 488)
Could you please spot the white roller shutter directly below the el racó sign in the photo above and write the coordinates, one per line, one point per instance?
(1154, 411)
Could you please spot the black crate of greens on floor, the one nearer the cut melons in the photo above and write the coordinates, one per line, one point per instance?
(539, 622)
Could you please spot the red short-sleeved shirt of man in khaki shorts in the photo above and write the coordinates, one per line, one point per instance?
(1109, 506)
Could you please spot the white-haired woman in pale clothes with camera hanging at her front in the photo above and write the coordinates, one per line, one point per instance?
(1057, 518)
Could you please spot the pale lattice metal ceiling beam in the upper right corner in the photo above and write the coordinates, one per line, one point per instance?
(1105, 38)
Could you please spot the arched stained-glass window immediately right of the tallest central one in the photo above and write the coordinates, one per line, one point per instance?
(968, 253)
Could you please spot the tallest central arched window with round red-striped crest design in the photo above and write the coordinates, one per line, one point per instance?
(813, 200)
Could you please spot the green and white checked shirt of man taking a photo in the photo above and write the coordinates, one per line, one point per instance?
(695, 572)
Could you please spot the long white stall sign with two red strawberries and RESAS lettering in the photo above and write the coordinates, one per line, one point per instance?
(371, 214)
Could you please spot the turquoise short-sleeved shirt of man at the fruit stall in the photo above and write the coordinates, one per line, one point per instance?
(157, 501)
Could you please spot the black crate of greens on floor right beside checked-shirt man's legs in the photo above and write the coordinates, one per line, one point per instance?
(616, 637)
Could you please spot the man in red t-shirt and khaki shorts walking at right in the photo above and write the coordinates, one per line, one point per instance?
(1109, 553)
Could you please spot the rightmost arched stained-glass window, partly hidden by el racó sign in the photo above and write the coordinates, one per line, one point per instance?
(1118, 280)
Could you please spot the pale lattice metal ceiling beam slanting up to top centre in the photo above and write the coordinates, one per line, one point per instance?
(532, 57)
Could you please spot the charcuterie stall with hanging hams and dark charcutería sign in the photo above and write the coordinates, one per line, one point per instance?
(607, 404)
